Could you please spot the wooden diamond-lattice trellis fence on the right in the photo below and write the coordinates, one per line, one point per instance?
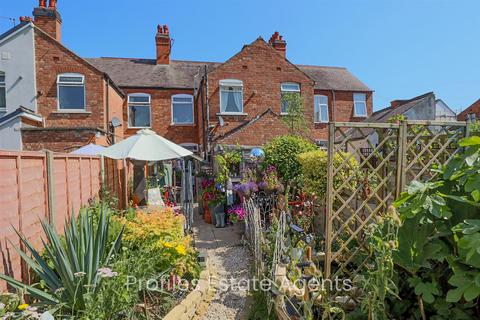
(388, 157)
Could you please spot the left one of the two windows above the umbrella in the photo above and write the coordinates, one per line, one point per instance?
(139, 110)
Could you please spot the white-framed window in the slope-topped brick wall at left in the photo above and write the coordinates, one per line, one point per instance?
(71, 92)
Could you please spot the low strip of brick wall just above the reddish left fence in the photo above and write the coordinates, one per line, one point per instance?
(57, 140)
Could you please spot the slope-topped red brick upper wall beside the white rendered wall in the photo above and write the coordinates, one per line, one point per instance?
(52, 59)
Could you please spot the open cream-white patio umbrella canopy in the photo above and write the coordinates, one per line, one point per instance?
(146, 145)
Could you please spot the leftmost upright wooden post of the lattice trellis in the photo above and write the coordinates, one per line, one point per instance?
(329, 198)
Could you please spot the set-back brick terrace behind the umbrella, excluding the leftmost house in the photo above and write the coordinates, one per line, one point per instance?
(201, 104)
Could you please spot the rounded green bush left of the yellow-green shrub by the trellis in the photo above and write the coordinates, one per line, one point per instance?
(282, 153)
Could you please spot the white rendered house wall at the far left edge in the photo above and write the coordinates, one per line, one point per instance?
(17, 60)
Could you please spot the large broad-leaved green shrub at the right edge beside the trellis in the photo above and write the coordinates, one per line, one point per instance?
(438, 255)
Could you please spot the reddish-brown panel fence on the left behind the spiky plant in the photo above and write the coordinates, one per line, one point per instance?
(46, 185)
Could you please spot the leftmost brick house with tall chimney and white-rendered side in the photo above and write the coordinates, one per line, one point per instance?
(73, 101)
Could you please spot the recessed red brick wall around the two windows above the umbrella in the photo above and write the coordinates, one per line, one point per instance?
(161, 116)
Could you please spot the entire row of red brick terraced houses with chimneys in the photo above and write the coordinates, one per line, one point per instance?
(193, 103)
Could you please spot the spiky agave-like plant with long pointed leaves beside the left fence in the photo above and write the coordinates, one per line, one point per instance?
(70, 267)
